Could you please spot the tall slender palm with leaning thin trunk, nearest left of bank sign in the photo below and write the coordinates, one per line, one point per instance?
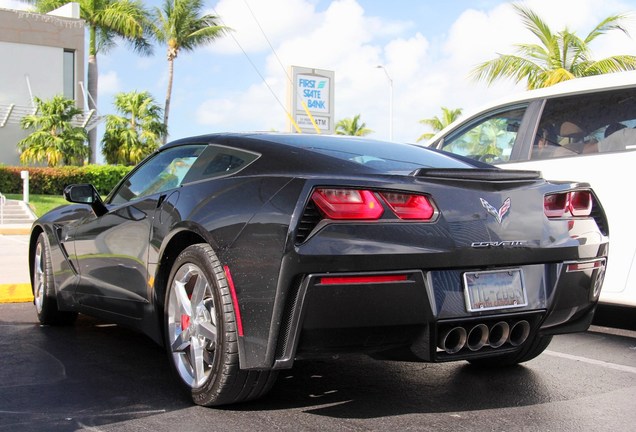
(180, 25)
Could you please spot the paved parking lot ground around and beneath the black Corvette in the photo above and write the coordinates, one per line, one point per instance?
(98, 376)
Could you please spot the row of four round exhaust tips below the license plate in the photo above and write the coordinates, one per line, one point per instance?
(454, 339)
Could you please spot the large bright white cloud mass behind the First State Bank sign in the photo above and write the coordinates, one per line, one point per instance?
(344, 38)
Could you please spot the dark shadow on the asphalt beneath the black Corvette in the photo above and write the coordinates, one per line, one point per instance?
(95, 374)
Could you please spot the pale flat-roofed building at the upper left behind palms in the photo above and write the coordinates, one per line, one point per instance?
(42, 56)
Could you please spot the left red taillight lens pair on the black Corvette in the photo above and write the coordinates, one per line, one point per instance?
(347, 204)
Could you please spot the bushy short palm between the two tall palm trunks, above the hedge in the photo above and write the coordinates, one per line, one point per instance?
(136, 133)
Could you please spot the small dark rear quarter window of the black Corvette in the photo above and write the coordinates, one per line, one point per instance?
(220, 161)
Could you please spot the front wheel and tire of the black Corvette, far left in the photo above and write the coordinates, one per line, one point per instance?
(43, 286)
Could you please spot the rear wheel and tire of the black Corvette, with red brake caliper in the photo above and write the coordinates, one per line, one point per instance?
(201, 333)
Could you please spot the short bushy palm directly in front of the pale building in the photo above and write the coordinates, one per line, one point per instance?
(54, 140)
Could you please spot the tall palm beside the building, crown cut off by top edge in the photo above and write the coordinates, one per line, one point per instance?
(106, 20)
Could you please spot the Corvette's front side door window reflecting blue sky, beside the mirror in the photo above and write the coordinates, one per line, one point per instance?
(166, 170)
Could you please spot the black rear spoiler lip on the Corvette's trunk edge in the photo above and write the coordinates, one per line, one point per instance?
(487, 174)
